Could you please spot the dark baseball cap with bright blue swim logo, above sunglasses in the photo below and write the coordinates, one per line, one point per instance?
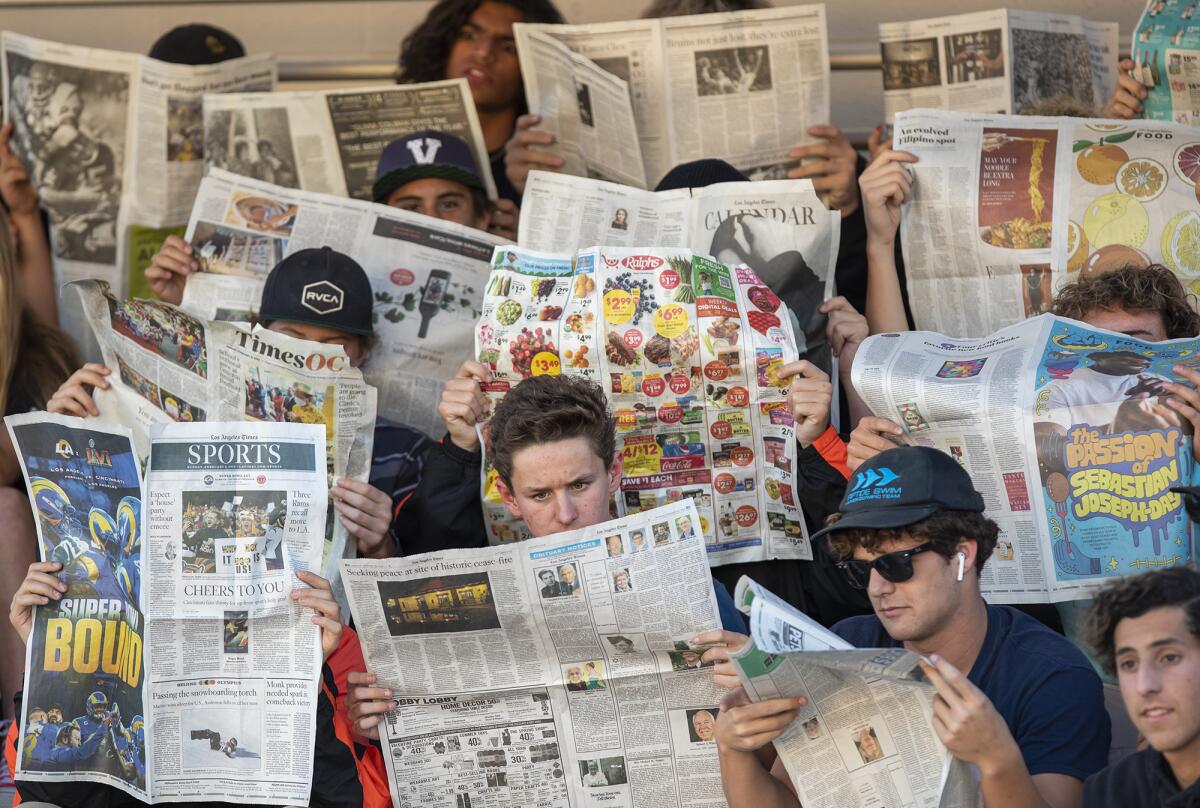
(904, 486)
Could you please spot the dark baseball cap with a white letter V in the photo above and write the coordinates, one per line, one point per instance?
(425, 155)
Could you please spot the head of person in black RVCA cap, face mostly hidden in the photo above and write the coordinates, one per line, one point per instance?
(321, 296)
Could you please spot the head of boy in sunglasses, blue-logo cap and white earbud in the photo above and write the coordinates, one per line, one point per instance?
(913, 532)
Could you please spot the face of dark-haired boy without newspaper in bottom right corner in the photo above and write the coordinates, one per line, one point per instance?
(1159, 671)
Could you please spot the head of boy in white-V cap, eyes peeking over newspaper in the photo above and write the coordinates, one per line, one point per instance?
(435, 175)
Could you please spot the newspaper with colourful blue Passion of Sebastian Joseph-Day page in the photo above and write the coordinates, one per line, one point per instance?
(1064, 435)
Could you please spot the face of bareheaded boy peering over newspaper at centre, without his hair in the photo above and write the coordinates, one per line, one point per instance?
(561, 487)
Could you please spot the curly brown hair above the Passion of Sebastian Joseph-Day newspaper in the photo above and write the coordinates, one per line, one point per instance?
(1132, 289)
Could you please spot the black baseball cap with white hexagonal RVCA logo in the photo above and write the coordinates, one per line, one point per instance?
(320, 288)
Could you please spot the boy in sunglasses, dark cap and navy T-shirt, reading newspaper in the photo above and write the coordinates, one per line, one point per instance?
(1015, 699)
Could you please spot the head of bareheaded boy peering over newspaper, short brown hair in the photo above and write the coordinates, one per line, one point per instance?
(553, 444)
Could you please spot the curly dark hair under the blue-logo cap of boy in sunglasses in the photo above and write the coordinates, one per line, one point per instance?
(945, 529)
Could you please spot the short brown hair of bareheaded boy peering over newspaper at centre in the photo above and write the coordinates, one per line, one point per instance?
(548, 409)
